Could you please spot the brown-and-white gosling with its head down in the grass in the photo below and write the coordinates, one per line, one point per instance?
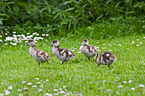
(106, 58)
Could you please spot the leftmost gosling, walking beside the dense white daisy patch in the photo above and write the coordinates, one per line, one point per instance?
(39, 55)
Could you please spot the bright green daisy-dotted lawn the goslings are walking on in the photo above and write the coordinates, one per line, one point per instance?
(78, 75)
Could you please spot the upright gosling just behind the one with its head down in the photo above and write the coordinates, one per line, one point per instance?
(88, 50)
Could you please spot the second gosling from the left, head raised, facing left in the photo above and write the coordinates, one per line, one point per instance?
(62, 53)
